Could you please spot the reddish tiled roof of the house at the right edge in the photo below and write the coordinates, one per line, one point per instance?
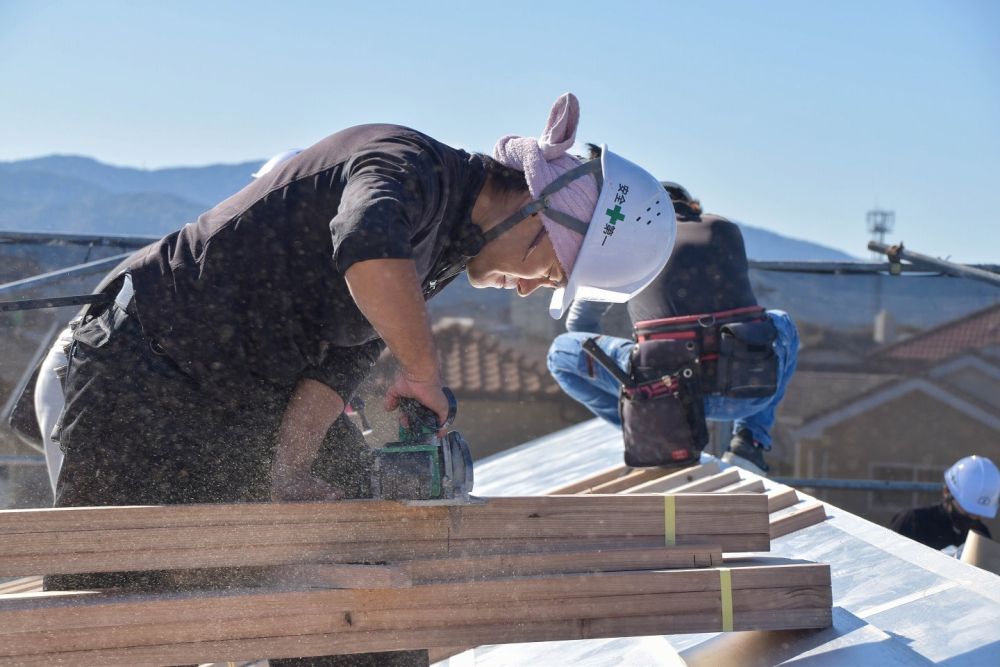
(974, 331)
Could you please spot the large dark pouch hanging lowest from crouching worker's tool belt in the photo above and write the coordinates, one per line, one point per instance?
(663, 421)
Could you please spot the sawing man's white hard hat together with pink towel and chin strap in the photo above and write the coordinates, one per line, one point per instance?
(610, 222)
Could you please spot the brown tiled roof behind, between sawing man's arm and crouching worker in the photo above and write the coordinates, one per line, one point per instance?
(476, 363)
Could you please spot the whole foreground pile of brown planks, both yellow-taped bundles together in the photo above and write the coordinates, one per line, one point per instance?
(361, 576)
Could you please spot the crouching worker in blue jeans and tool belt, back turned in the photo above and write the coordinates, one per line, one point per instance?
(697, 324)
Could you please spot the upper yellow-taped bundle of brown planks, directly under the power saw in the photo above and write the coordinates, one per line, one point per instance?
(109, 539)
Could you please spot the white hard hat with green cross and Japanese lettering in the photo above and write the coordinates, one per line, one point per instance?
(628, 241)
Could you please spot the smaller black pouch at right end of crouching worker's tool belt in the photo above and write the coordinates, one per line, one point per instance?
(748, 364)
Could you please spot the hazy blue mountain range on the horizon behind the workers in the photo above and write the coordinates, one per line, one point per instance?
(76, 194)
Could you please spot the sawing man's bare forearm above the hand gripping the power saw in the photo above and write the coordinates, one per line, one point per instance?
(389, 295)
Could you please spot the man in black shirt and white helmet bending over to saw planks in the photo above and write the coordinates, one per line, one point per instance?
(233, 344)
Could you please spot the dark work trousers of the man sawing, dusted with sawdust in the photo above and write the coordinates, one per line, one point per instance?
(136, 430)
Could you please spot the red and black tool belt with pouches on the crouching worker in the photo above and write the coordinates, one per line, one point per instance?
(675, 363)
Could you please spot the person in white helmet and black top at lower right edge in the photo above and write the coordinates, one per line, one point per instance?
(970, 492)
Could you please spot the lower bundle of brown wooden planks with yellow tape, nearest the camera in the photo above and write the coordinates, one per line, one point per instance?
(243, 625)
